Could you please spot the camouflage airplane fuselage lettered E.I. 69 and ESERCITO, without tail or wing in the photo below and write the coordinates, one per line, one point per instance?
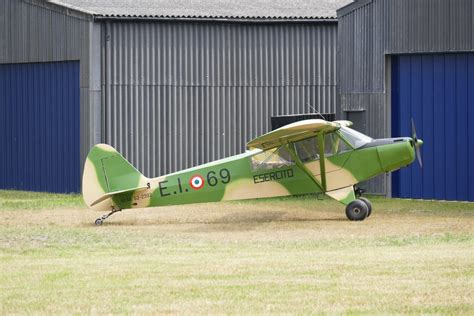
(239, 177)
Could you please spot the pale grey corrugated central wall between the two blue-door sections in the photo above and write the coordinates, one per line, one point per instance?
(181, 94)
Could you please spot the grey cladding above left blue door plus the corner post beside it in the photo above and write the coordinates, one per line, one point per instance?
(34, 31)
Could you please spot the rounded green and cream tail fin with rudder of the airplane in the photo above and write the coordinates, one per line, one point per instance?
(107, 172)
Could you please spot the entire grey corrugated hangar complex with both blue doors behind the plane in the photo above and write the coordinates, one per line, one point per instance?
(172, 84)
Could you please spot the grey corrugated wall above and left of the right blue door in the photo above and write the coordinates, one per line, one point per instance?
(371, 30)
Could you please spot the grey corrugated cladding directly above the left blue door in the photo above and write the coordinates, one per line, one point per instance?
(33, 33)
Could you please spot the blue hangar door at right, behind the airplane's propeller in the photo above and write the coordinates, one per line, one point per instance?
(437, 90)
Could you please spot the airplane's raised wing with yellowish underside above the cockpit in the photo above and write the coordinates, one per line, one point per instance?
(293, 132)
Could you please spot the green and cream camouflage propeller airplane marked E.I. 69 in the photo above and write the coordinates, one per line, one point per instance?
(309, 156)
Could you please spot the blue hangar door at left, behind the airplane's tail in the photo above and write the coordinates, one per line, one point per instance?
(39, 127)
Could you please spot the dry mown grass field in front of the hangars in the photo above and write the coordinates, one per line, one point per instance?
(290, 255)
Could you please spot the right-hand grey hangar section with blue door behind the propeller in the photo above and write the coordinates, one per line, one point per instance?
(400, 59)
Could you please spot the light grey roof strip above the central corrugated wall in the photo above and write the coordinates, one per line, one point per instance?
(208, 9)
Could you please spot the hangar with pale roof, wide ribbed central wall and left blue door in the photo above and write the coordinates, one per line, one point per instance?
(170, 84)
